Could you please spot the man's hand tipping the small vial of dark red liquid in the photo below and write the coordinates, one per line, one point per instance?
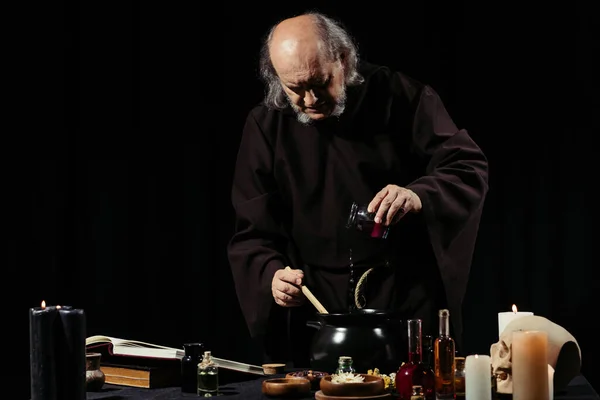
(394, 202)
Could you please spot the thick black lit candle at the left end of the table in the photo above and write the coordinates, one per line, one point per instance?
(57, 353)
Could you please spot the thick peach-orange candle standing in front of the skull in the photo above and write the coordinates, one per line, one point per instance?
(530, 365)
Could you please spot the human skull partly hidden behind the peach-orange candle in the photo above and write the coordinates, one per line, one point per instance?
(564, 354)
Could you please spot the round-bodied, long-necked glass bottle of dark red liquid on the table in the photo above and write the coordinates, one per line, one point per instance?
(415, 372)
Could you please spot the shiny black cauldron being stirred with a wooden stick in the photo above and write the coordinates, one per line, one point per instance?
(373, 338)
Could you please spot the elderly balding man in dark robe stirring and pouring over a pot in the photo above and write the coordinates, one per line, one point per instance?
(334, 130)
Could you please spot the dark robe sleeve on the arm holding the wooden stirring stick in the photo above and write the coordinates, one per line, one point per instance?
(257, 247)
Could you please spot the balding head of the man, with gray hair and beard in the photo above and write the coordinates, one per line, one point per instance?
(307, 61)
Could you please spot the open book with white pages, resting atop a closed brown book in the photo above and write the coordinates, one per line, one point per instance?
(135, 348)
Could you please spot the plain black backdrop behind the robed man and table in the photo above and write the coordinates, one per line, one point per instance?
(127, 117)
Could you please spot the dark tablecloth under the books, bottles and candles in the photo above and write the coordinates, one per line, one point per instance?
(579, 389)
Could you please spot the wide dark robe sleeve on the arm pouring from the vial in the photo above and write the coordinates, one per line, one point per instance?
(452, 191)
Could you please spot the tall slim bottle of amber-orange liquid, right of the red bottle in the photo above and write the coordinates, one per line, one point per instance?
(444, 359)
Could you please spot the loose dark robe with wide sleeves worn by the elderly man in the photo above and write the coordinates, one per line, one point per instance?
(294, 185)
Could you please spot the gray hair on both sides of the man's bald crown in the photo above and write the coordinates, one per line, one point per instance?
(338, 45)
